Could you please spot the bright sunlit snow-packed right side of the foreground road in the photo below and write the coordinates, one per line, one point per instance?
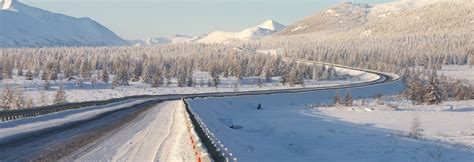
(157, 135)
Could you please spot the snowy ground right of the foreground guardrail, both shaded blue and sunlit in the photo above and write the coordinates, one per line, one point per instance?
(288, 128)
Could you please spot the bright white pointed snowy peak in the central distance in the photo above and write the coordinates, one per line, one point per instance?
(265, 29)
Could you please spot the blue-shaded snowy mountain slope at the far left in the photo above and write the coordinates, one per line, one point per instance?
(25, 26)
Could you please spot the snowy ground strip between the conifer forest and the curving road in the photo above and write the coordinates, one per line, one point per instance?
(102, 91)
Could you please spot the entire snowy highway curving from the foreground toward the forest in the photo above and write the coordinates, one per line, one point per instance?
(145, 128)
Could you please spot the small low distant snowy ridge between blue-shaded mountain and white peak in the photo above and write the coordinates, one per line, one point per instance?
(165, 40)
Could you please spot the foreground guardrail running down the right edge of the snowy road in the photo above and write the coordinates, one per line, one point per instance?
(215, 148)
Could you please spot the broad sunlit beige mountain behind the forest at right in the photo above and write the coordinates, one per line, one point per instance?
(400, 16)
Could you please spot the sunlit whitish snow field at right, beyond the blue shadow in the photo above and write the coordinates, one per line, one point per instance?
(450, 122)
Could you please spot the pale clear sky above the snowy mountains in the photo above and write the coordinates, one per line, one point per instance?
(141, 19)
